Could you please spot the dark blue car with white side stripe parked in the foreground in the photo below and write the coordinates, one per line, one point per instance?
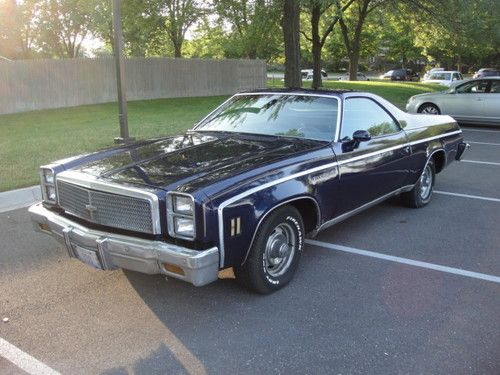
(245, 186)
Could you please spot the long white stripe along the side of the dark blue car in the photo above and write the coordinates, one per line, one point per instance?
(224, 204)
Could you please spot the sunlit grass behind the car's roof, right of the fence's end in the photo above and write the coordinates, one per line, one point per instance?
(397, 93)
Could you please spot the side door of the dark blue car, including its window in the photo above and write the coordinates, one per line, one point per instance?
(372, 169)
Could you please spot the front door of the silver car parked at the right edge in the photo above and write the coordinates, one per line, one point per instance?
(466, 101)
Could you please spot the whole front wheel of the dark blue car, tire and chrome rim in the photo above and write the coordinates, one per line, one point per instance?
(275, 253)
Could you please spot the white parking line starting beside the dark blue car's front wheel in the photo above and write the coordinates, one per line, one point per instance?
(410, 262)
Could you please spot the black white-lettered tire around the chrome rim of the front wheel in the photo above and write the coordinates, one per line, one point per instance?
(292, 217)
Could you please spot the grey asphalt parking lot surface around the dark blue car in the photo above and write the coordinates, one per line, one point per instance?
(390, 291)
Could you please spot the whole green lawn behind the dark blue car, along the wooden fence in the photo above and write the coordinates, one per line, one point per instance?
(30, 139)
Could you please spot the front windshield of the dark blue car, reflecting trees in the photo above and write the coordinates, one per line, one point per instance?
(298, 116)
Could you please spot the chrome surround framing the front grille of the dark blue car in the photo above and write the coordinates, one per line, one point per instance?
(92, 182)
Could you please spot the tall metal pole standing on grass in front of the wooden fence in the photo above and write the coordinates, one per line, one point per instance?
(120, 73)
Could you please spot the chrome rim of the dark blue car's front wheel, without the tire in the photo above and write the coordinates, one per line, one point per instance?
(281, 246)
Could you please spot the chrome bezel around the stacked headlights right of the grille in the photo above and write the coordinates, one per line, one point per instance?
(174, 215)
